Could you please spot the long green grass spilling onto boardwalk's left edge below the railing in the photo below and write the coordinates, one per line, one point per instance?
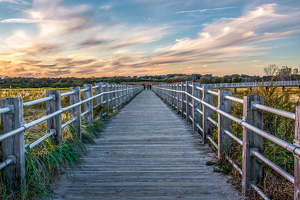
(47, 160)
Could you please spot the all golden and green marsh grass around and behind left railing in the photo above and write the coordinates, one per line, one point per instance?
(47, 160)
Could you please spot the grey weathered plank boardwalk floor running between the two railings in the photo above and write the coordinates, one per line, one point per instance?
(146, 152)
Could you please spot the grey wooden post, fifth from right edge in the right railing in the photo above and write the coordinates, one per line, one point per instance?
(196, 104)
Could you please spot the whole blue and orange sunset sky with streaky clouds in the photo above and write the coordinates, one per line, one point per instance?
(73, 38)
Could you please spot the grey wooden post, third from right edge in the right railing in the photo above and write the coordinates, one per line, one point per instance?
(224, 123)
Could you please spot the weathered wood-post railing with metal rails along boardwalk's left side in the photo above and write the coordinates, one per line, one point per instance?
(13, 145)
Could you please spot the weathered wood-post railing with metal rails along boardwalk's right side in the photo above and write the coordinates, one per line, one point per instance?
(195, 103)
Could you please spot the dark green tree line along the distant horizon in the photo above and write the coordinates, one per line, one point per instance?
(272, 72)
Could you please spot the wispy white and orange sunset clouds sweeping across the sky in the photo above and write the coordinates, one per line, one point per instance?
(74, 42)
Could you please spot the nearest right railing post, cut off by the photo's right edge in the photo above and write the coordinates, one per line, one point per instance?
(297, 159)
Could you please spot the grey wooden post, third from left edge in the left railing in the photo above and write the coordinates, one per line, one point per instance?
(76, 111)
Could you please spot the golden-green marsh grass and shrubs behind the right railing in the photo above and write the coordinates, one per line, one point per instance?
(273, 184)
